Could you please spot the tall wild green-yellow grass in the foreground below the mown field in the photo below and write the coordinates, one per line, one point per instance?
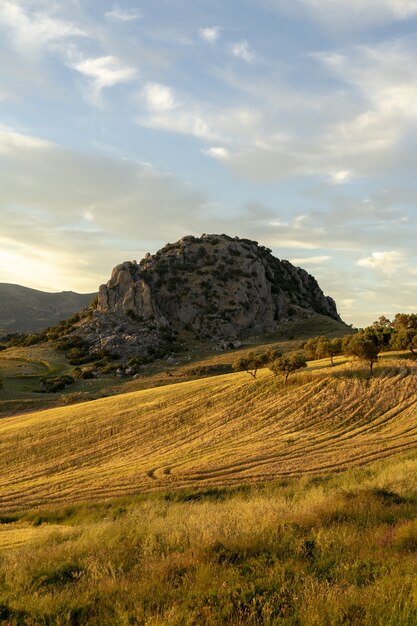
(332, 551)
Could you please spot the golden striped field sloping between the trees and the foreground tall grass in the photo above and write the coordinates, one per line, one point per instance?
(212, 432)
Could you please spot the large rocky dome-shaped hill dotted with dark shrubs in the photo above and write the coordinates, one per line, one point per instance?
(218, 287)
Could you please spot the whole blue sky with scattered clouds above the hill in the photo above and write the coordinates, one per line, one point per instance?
(124, 126)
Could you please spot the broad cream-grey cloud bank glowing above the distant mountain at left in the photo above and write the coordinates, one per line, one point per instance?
(71, 216)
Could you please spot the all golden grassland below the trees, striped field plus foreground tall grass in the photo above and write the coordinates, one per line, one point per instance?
(216, 501)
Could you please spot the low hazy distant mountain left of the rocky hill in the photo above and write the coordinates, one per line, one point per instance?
(28, 310)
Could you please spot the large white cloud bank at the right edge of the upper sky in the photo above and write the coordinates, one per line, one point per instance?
(360, 125)
